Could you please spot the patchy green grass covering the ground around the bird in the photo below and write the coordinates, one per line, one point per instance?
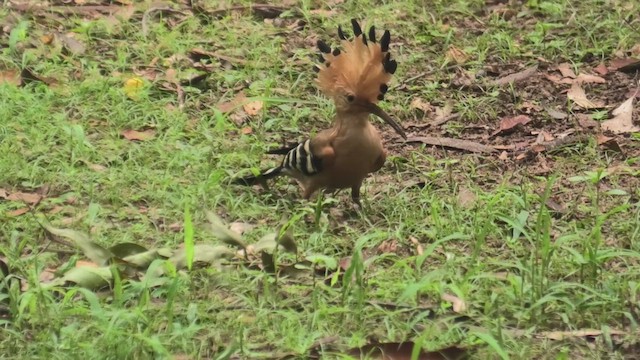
(522, 269)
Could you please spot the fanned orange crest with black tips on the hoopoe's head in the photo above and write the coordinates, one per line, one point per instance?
(361, 67)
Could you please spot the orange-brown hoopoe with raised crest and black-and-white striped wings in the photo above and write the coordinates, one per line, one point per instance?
(355, 78)
